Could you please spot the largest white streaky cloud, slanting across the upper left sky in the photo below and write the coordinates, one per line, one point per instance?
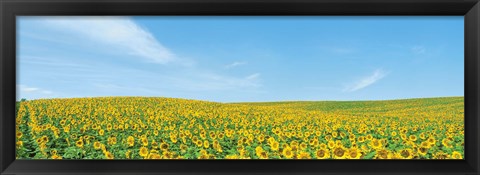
(118, 33)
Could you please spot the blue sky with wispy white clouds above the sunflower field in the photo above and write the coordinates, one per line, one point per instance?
(235, 59)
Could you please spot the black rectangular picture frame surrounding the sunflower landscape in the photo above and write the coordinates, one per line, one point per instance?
(10, 9)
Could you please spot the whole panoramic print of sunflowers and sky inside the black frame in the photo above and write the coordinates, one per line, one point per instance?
(229, 87)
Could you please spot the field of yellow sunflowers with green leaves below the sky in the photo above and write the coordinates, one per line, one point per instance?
(168, 128)
